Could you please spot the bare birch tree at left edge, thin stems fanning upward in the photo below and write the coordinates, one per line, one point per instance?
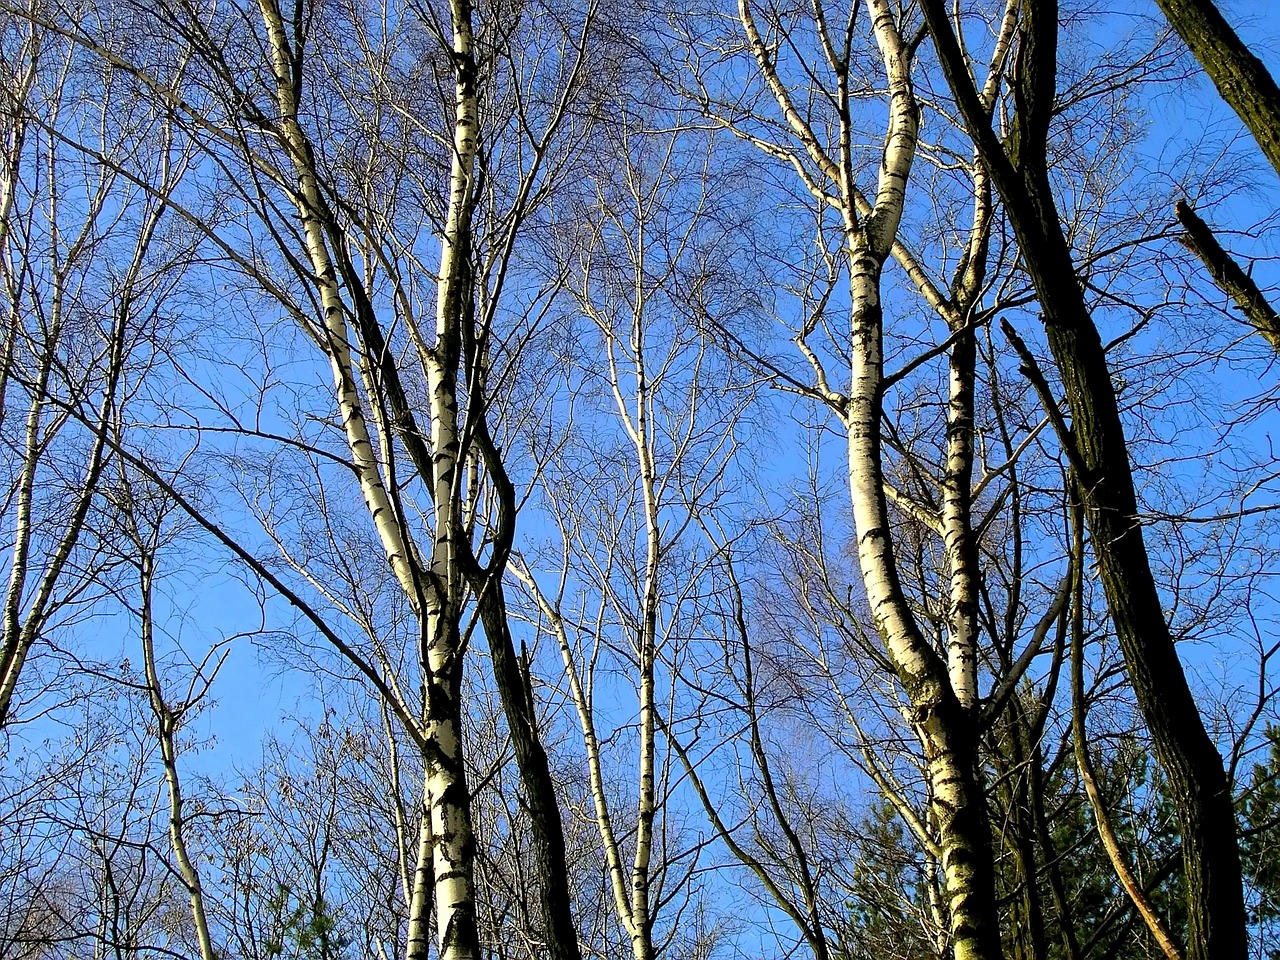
(84, 273)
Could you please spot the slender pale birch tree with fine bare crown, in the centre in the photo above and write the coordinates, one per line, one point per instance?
(643, 456)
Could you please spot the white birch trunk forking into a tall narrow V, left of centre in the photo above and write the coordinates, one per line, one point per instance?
(438, 600)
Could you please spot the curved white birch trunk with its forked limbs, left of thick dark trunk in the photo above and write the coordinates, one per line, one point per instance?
(943, 696)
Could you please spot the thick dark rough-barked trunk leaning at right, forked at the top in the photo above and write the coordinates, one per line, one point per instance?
(1187, 755)
